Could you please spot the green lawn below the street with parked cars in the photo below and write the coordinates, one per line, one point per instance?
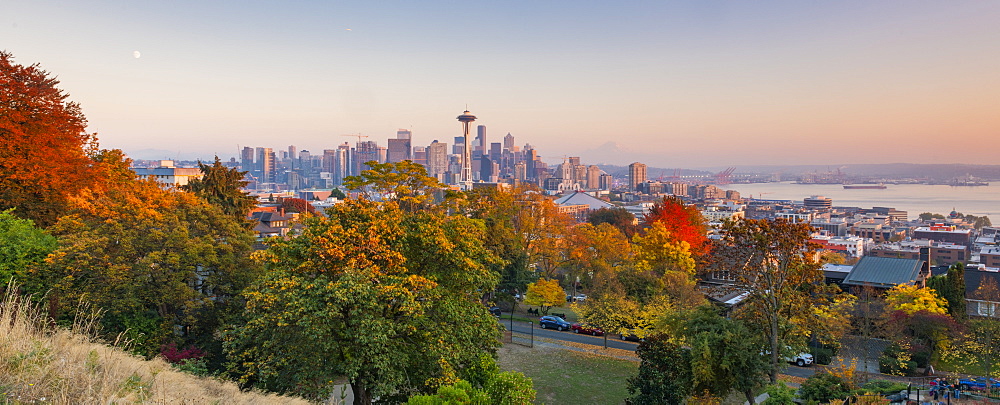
(569, 377)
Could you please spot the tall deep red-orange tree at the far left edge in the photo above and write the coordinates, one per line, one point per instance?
(45, 153)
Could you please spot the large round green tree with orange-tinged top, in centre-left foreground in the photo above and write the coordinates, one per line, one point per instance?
(387, 298)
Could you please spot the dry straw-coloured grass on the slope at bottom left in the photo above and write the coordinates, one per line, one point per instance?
(42, 364)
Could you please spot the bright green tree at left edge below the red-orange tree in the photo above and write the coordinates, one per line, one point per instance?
(22, 245)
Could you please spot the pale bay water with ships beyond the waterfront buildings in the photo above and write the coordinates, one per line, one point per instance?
(913, 198)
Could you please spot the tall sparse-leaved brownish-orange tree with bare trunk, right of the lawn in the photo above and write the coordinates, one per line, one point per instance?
(773, 262)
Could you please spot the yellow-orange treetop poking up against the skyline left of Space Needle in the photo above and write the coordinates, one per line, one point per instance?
(404, 182)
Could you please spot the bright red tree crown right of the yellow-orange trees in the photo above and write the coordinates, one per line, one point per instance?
(683, 221)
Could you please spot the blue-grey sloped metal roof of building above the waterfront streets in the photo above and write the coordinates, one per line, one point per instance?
(884, 273)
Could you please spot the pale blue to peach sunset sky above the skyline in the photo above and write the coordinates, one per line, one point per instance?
(671, 84)
